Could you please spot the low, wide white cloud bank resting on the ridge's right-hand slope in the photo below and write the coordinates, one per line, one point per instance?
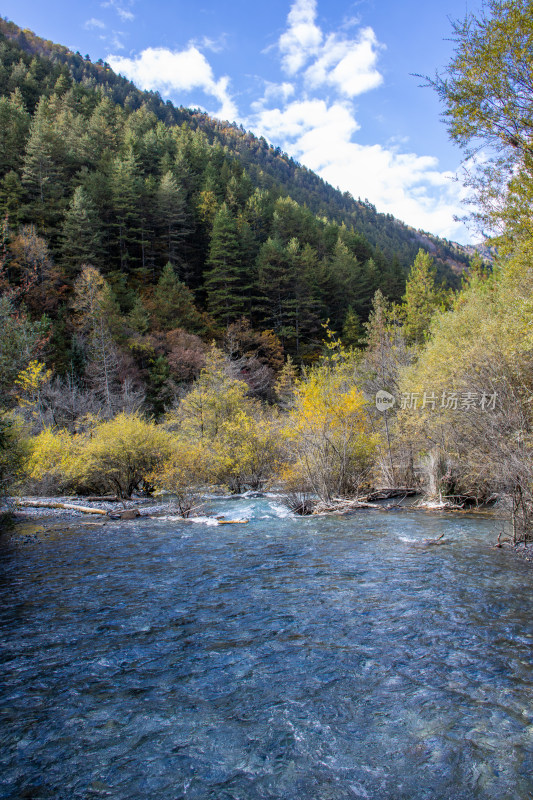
(409, 186)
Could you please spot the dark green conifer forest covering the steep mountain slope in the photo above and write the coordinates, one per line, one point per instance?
(94, 172)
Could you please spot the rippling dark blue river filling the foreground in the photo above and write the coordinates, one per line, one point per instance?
(310, 658)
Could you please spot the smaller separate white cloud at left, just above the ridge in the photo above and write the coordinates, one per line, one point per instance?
(169, 71)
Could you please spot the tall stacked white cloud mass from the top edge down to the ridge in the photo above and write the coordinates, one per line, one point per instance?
(320, 131)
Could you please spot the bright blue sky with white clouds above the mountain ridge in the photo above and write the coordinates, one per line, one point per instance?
(331, 83)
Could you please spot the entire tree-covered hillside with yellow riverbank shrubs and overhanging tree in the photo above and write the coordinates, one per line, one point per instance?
(182, 305)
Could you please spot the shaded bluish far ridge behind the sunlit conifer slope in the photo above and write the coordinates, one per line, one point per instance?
(266, 165)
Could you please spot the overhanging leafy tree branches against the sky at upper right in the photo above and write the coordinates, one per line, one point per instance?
(486, 93)
